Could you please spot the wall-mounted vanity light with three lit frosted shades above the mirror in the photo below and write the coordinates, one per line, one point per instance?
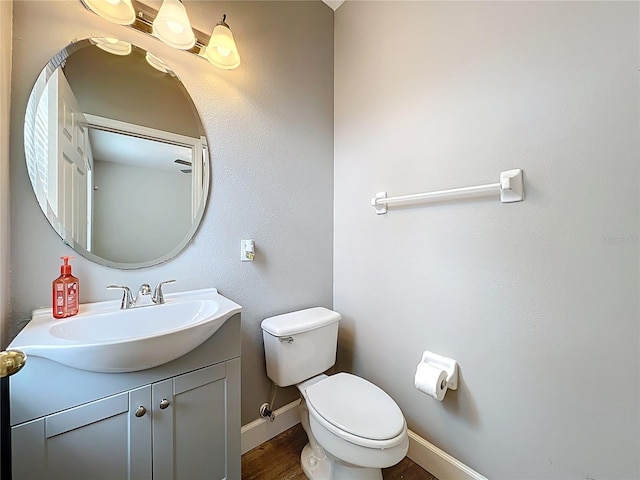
(171, 25)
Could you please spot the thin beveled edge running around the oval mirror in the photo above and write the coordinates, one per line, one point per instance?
(57, 61)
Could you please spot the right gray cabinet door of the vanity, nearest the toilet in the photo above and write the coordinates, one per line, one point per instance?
(191, 433)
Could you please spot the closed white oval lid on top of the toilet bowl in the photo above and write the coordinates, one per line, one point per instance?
(356, 406)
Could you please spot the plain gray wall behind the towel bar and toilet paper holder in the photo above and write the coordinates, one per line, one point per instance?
(538, 301)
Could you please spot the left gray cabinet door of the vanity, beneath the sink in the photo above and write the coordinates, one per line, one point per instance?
(99, 440)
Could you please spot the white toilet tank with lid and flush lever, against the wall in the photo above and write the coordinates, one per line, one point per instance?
(300, 345)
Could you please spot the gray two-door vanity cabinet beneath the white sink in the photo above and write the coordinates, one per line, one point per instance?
(184, 426)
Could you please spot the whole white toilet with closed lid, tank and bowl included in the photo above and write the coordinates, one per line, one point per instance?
(354, 428)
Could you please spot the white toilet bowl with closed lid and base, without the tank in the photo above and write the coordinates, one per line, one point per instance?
(358, 428)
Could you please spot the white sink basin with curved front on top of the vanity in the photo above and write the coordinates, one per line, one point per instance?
(103, 338)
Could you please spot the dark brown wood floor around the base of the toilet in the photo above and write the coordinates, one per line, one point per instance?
(279, 459)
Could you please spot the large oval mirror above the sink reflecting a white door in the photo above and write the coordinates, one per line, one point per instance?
(116, 154)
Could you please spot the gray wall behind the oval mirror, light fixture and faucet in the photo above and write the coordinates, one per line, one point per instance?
(269, 126)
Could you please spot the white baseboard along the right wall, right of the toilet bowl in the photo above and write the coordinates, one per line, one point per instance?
(437, 462)
